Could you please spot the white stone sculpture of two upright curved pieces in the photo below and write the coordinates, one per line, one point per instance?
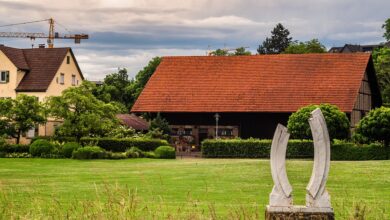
(317, 197)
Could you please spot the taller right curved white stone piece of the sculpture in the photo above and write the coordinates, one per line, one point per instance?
(317, 195)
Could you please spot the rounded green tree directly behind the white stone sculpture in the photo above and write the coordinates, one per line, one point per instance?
(336, 121)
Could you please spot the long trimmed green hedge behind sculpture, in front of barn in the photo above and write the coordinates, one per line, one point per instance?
(256, 148)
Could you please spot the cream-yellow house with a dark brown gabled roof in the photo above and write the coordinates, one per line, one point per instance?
(40, 72)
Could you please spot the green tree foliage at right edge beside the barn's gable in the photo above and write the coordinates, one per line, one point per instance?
(381, 58)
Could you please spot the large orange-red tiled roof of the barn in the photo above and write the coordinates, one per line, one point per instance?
(259, 83)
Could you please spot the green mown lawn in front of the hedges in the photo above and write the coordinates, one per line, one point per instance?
(178, 189)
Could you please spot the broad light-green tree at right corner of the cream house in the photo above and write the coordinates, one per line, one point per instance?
(82, 112)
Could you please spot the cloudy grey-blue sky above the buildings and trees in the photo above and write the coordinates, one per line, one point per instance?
(129, 33)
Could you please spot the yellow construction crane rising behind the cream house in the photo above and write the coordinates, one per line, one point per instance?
(50, 37)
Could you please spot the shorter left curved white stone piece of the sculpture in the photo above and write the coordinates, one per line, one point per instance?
(281, 192)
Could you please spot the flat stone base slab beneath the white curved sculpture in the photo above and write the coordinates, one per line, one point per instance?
(298, 212)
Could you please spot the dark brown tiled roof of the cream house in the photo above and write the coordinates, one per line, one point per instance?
(41, 65)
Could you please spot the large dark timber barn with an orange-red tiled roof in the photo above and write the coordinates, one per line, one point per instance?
(251, 94)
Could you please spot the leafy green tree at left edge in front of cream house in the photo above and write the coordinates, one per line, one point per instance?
(19, 115)
